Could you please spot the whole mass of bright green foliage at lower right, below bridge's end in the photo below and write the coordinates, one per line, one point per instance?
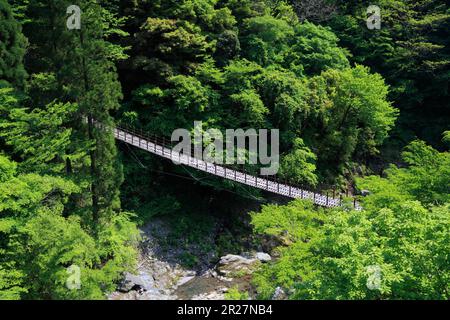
(396, 248)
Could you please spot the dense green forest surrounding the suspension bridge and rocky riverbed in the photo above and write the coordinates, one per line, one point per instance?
(359, 109)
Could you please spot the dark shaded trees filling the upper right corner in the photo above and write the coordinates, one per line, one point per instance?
(412, 52)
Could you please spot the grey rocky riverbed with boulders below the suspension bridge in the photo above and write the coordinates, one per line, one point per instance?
(164, 272)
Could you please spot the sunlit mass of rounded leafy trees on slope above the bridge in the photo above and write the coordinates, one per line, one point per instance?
(263, 70)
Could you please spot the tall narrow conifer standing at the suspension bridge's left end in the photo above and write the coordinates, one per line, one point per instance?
(95, 87)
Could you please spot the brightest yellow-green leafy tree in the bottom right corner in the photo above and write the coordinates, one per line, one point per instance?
(397, 241)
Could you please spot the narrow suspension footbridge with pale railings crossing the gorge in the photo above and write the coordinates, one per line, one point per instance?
(159, 147)
